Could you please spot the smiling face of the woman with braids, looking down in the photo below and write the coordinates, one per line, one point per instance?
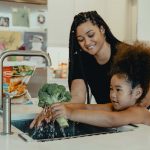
(90, 37)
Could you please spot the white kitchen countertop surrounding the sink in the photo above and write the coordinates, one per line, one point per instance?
(139, 139)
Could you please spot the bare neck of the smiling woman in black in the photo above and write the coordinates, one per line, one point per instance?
(103, 56)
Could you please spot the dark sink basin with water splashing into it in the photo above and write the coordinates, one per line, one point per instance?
(52, 131)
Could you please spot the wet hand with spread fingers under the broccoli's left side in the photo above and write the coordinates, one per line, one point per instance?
(44, 115)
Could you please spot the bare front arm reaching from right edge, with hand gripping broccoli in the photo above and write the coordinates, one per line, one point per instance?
(104, 118)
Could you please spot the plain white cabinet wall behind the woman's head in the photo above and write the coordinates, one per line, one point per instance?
(61, 13)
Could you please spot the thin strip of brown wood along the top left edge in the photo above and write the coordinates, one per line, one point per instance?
(39, 2)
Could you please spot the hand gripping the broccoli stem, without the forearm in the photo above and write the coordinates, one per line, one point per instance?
(60, 110)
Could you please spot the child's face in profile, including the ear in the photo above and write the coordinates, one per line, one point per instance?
(121, 93)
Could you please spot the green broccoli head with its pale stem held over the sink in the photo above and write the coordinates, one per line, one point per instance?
(52, 93)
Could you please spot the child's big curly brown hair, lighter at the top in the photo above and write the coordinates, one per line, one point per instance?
(133, 62)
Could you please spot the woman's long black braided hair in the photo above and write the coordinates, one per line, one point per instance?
(74, 46)
